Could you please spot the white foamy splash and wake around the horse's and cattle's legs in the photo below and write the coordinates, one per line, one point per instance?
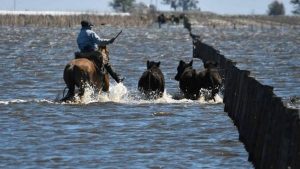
(119, 93)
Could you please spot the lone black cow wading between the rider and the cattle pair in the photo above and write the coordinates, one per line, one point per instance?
(152, 82)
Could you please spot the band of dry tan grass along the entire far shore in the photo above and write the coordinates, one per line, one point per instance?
(143, 20)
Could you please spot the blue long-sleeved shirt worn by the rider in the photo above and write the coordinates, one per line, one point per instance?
(88, 40)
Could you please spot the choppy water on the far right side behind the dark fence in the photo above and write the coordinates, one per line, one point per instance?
(272, 54)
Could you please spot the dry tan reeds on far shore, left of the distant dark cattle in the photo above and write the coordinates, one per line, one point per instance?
(73, 20)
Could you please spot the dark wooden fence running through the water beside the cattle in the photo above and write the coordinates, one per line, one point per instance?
(269, 130)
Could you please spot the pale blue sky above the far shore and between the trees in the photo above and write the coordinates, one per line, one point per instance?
(216, 6)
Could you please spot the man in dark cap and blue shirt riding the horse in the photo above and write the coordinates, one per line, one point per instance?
(88, 42)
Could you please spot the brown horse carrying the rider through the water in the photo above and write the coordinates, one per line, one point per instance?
(81, 72)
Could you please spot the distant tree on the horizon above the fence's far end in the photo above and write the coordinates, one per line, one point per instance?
(184, 4)
